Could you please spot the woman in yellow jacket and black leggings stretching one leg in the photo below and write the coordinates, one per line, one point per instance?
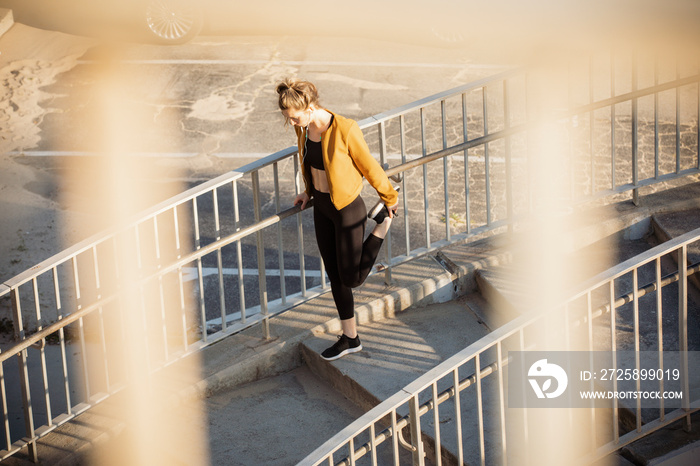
(334, 158)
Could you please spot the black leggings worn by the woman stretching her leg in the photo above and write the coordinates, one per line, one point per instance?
(348, 260)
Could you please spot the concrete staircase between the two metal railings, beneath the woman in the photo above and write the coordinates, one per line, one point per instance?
(274, 401)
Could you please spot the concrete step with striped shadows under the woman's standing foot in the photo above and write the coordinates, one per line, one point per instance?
(396, 352)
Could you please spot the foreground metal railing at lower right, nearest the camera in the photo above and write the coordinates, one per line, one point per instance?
(471, 383)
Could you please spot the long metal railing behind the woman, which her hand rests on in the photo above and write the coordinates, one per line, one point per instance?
(225, 255)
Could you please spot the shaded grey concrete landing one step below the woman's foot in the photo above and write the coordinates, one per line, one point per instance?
(274, 412)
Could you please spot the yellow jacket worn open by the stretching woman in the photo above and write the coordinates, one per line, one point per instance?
(347, 159)
